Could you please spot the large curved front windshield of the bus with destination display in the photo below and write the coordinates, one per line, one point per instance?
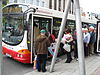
(13, 27)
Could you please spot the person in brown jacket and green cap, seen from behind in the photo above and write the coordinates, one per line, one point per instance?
(41, 48)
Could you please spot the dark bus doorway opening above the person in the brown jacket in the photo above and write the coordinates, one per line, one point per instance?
(41, 23)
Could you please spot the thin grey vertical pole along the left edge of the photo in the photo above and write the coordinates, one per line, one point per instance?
(1, 57)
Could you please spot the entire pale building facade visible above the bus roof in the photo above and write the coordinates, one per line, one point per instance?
(52, 4)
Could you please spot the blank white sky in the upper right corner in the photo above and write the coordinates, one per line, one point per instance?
(90, 5)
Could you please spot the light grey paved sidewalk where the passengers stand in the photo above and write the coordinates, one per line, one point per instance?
(92, 64)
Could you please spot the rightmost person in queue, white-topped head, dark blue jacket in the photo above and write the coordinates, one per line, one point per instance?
(92, 40)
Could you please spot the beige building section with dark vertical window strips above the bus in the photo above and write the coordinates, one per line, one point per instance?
(59, 5)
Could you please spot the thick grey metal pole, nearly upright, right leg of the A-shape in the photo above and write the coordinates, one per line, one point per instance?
(79, 39)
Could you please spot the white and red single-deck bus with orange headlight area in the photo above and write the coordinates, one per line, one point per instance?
(18, 32)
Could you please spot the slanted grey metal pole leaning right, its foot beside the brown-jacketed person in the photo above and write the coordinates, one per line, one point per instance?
(64, 19)
